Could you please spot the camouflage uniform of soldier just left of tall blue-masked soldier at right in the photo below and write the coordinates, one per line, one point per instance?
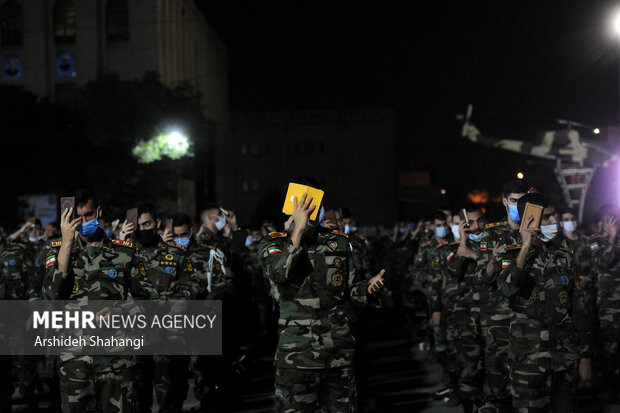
(466, 324)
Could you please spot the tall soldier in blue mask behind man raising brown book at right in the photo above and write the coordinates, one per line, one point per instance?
(494, 309)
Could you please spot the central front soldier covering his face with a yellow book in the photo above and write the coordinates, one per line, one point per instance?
(311, 268)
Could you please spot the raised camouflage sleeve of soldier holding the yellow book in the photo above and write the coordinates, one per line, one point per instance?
(282, 262)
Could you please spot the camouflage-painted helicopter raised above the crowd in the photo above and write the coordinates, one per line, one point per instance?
(576, 159)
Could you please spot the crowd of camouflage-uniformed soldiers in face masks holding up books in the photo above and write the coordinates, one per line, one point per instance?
(520, 320)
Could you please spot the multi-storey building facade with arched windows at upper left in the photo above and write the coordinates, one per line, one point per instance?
(51, 47)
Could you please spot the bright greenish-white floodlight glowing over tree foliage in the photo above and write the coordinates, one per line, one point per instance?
(174, 145)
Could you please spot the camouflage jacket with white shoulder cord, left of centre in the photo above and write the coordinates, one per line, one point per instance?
(210, 268)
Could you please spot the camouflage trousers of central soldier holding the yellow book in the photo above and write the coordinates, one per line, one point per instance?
(301, 391)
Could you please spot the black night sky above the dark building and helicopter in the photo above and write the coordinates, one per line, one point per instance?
(522, 65)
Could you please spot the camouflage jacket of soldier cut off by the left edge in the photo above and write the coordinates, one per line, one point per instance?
(18, 277)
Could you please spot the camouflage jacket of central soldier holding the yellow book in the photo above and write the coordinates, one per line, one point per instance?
(314, 284)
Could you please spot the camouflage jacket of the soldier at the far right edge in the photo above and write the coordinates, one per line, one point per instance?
(606, 257)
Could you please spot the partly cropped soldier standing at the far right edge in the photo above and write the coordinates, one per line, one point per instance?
(605, 249)
